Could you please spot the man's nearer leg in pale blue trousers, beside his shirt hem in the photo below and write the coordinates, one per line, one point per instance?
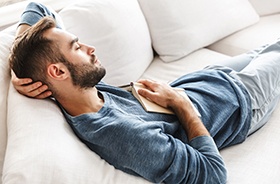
(261, 77)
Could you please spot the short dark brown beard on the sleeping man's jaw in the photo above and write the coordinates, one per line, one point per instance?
(86, 75)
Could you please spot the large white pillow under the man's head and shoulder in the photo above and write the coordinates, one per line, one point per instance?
(42, 148)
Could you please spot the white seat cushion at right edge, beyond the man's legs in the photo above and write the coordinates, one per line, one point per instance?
(265, 31)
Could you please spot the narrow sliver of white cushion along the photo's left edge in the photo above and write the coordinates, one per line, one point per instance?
(5, 44)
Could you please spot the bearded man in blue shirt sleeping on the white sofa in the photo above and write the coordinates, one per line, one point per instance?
(165, 148)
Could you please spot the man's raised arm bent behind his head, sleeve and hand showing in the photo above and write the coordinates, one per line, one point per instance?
(32, 14)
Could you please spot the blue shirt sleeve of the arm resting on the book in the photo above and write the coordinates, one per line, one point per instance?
(144, 149)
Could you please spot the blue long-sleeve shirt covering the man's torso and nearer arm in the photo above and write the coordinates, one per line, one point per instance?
(154, 145)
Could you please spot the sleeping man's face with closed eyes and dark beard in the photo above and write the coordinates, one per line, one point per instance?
(84, 66)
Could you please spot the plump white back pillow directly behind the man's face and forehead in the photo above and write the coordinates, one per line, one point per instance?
(118, 31)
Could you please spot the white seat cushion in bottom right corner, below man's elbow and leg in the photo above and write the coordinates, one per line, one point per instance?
(257, 159)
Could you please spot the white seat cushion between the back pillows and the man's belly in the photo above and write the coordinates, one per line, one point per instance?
(166, 72)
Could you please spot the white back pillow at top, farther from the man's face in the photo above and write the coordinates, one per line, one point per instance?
(180, 27)
